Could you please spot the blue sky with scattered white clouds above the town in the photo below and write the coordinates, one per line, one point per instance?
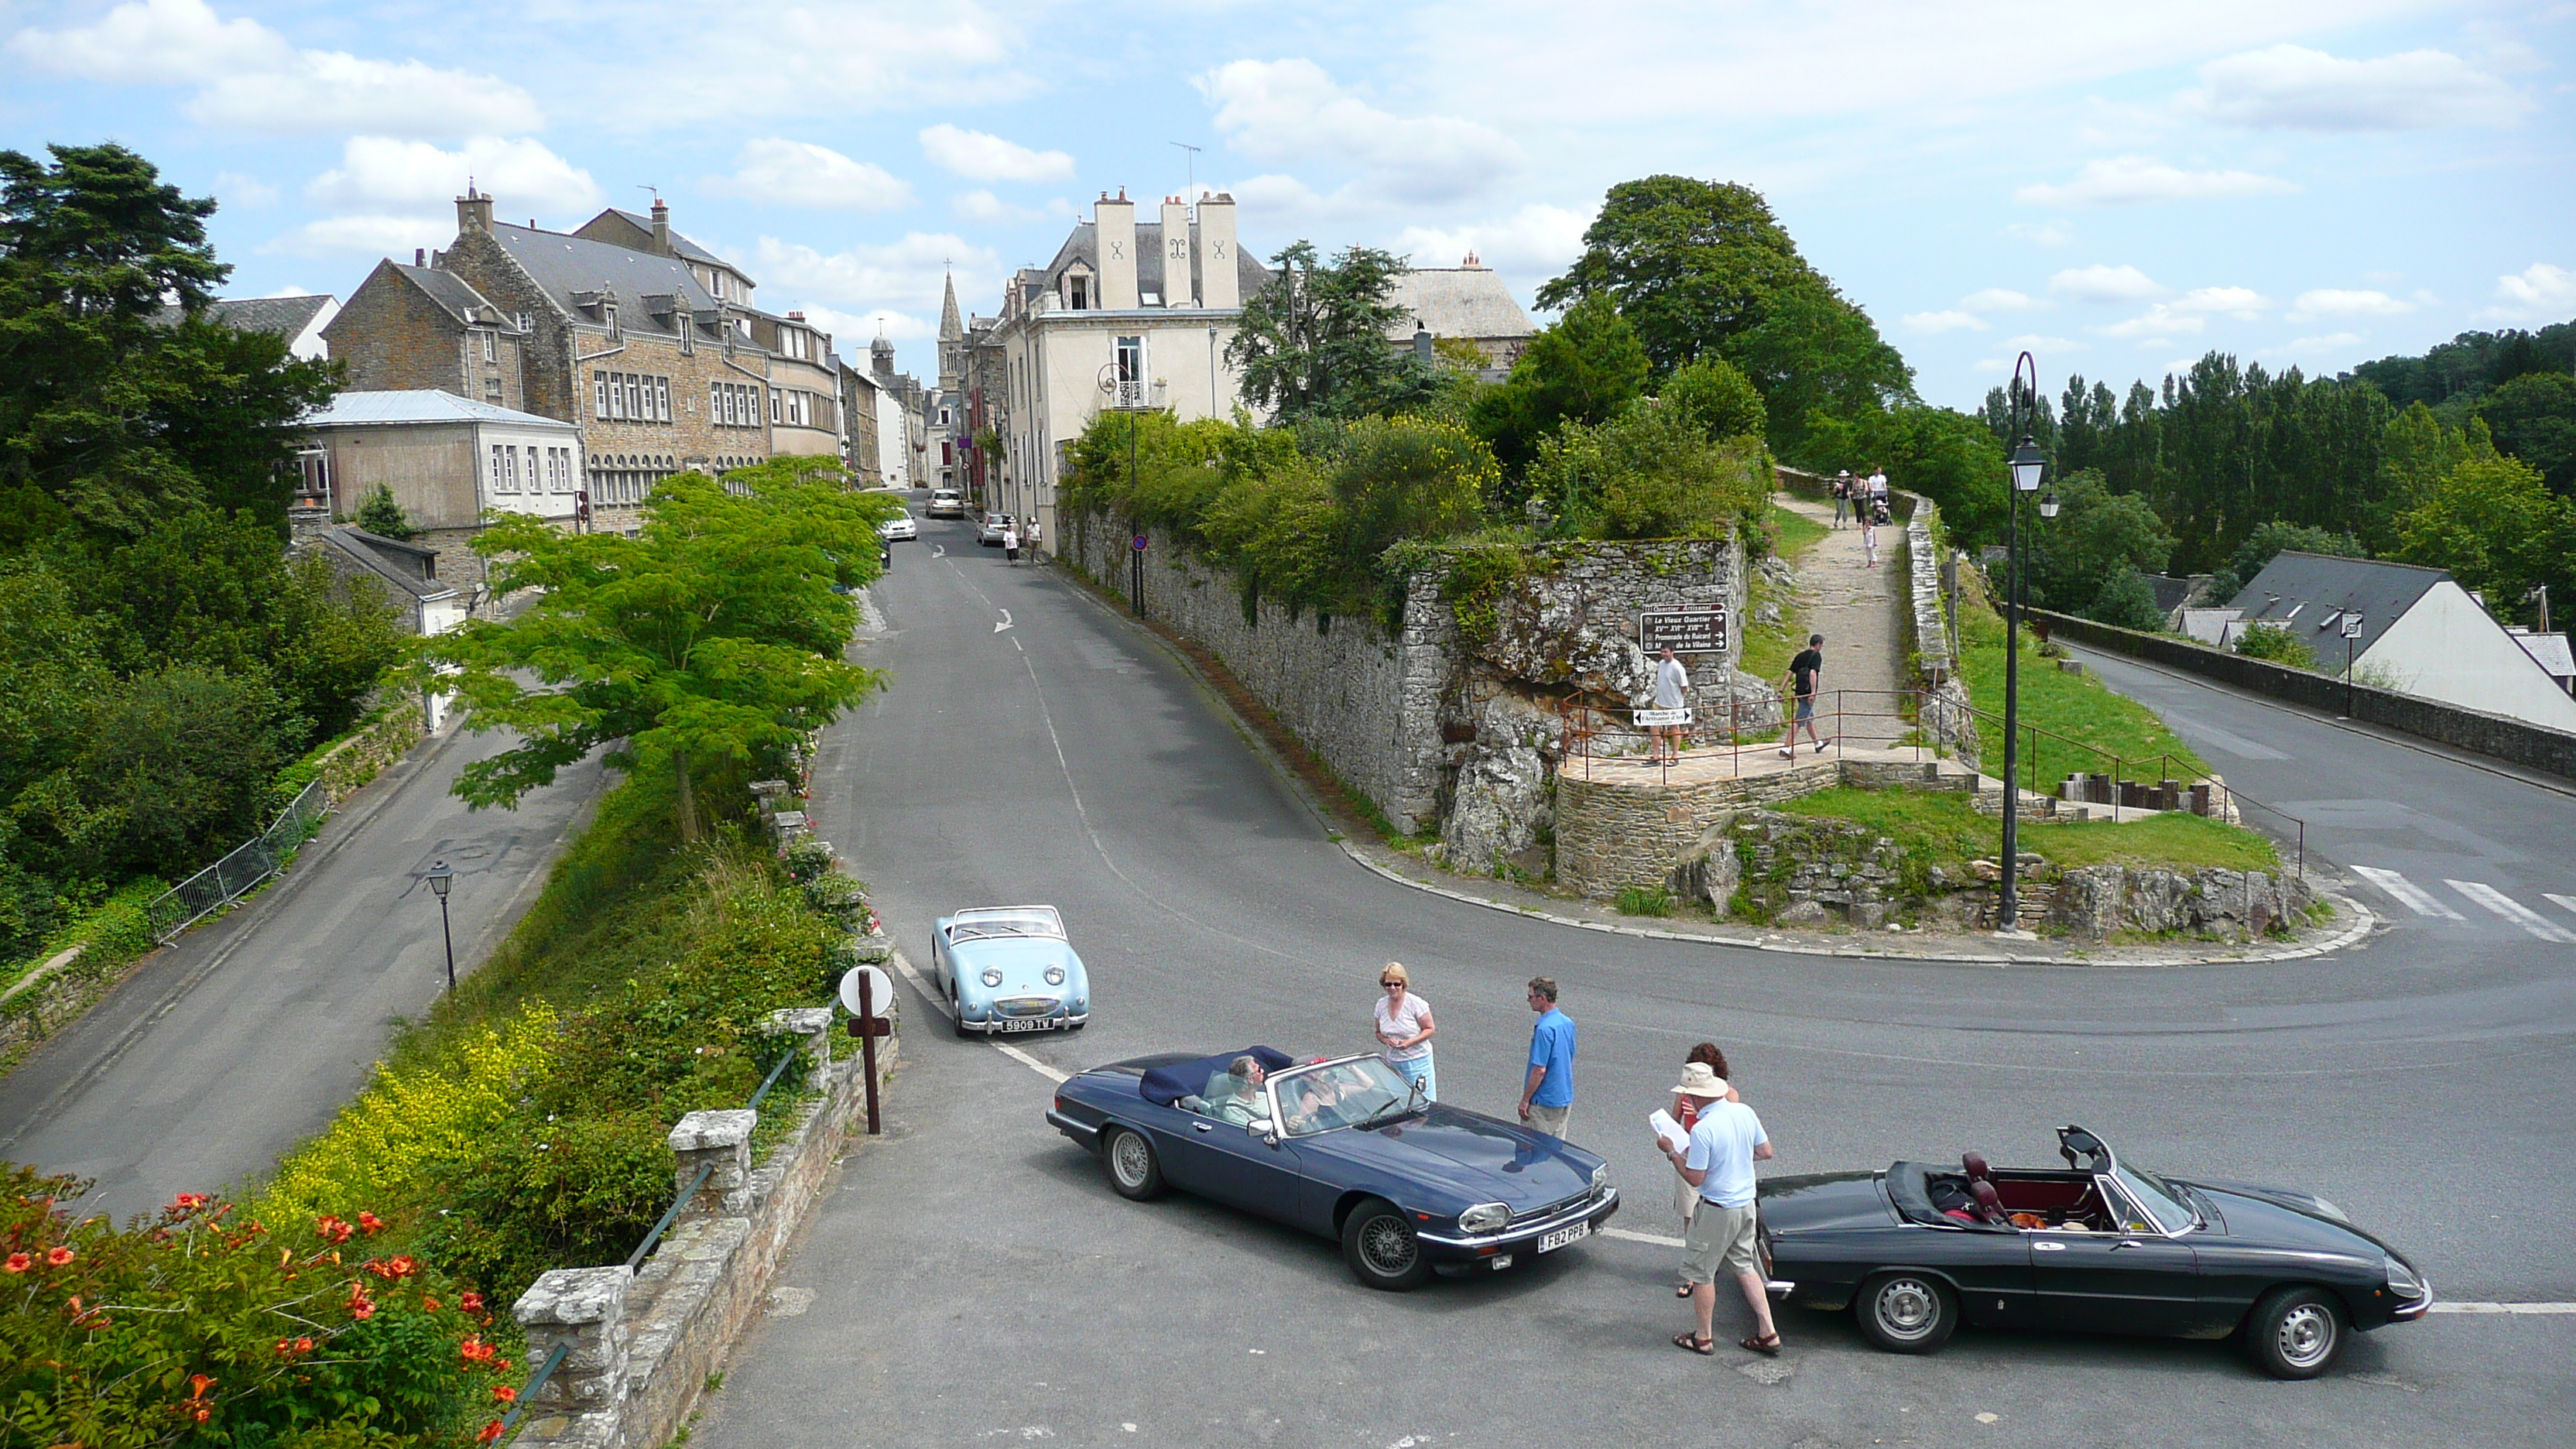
(2116, 190)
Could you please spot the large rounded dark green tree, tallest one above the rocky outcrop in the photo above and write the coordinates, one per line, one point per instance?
(1691, 264)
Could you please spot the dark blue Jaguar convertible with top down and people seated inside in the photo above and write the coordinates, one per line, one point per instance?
(1341, 1149)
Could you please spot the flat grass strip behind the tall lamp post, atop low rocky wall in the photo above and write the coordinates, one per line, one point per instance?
(1946, 831)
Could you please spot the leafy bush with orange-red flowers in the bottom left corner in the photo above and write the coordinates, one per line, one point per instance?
(213, 1332)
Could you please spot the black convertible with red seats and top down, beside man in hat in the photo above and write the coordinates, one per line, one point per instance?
(2098, 1247)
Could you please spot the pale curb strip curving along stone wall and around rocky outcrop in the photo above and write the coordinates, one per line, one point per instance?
(2361, 917)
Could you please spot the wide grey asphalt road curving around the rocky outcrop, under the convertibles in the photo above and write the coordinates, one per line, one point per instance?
(972, 1278)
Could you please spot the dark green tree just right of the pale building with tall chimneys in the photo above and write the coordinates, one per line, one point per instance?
(1312, 344)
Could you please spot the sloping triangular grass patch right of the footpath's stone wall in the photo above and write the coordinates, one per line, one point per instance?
(2093, 721)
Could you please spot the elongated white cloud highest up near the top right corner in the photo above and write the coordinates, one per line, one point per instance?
(2315, 92)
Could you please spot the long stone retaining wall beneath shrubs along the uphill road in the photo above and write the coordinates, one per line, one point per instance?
(1364, 703)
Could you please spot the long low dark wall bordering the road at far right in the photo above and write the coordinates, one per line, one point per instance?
(2433, 721)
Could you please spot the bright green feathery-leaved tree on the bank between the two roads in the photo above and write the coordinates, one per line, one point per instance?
(702, 648)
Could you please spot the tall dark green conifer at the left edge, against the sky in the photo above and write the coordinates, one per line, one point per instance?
(104, 406)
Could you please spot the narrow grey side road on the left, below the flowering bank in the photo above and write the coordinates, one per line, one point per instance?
(246, 1035)
